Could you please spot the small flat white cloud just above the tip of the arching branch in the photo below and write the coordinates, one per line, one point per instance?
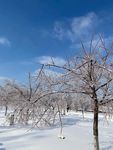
(48, 60)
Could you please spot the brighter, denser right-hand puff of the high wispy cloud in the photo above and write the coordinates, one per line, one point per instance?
(82, 26)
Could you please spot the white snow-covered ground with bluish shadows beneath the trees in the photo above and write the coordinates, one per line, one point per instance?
(78, 133)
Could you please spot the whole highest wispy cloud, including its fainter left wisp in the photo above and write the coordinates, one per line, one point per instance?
(76, 28)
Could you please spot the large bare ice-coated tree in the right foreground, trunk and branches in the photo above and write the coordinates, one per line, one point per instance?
(89, 75)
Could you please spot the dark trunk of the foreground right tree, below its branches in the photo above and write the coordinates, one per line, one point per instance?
(95, 125)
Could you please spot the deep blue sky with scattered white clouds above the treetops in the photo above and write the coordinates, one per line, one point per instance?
(33, 31)
